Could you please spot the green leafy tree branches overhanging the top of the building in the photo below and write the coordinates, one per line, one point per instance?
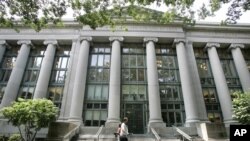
(95, 13)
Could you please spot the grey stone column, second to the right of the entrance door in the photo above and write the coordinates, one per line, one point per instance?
(186, 84)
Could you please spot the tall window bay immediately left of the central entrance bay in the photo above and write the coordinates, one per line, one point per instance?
(97, 87)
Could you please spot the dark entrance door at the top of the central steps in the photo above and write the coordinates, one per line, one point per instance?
(135, 114)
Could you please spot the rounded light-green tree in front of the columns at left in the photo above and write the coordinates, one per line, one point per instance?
(30, 116)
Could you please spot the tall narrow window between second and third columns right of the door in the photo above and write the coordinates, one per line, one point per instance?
(208, 86)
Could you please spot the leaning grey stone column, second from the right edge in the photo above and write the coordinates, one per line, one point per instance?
(220, 82)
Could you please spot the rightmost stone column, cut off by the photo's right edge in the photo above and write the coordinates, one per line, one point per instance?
(241, 66)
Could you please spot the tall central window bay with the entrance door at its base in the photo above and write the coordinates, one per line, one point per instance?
(134, 99)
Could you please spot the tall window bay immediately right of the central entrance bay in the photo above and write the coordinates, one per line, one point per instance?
(170, 89)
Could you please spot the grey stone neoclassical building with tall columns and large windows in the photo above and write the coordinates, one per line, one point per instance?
(159, 76)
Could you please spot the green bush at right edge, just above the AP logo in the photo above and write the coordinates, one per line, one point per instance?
(241, 107)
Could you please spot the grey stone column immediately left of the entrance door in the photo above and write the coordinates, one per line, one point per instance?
(115, 83)
